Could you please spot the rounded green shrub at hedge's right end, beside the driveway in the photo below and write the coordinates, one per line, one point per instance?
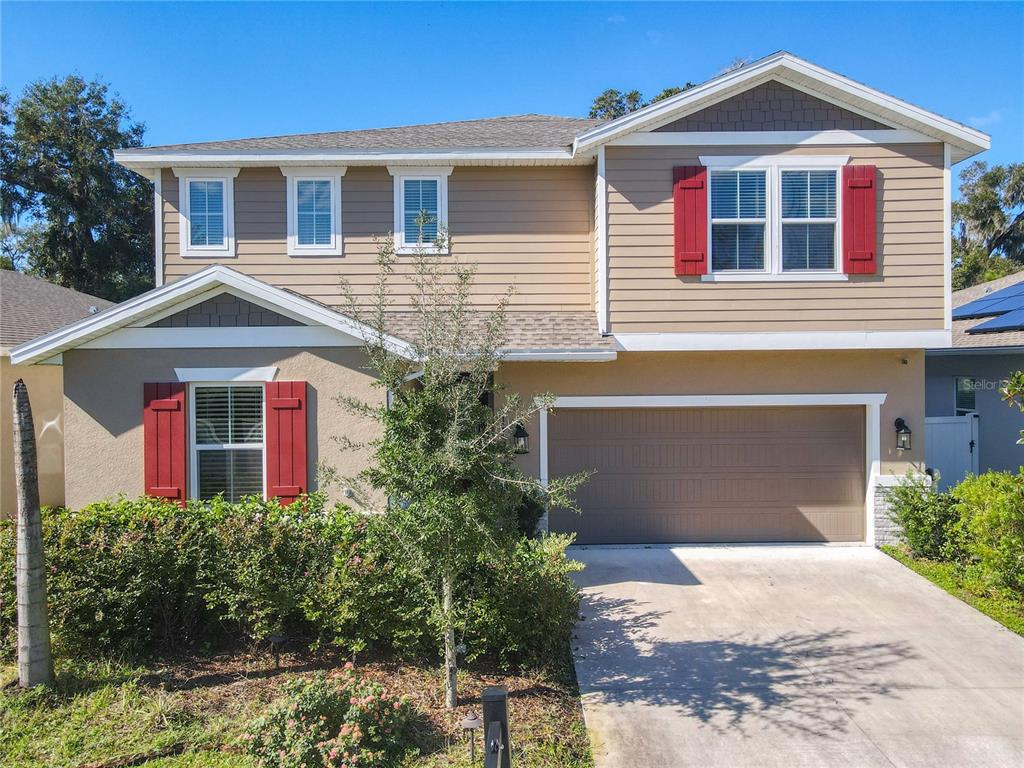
(527, 607)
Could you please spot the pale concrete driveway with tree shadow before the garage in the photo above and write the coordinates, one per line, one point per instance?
(790, 657)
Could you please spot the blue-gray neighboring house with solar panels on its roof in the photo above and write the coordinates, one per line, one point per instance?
(970, 428)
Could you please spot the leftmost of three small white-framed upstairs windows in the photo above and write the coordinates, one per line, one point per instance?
(206, 211)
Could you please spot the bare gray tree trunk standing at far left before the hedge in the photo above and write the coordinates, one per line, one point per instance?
(35, 666)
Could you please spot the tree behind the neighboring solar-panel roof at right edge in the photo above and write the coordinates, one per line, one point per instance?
(989, 224)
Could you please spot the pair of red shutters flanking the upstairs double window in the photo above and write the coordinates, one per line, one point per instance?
(690, 197)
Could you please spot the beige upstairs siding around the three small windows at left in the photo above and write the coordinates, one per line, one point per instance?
(531, 228)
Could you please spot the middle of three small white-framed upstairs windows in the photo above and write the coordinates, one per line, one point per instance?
(314, 211)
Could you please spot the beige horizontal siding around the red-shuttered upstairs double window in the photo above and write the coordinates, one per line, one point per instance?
(646, 295)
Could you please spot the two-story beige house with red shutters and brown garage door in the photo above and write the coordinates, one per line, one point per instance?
(730, 291)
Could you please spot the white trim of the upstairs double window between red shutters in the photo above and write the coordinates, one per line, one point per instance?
(774, 165)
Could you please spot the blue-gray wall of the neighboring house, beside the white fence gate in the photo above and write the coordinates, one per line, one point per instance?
(999, 425)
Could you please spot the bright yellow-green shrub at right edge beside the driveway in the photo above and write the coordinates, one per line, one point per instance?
(992, 507)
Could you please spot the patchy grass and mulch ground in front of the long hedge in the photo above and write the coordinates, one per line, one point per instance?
(103, 714)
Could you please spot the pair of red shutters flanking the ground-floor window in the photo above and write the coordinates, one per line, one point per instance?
(166, 446)
